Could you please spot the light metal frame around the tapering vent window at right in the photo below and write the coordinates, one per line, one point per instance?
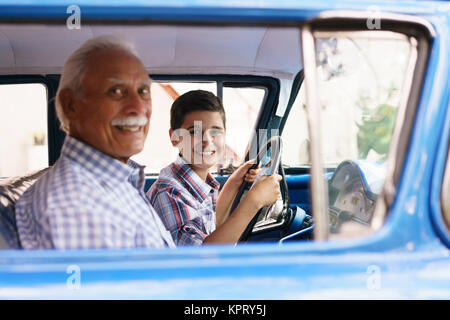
(421, 33)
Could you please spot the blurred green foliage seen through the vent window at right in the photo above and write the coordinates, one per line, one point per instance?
(375, 131)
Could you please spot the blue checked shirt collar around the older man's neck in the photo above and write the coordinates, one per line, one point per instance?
(102, 165)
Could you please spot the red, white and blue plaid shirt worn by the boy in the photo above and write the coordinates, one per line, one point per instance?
(185, 203)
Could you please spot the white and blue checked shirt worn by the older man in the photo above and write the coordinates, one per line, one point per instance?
(89, 200)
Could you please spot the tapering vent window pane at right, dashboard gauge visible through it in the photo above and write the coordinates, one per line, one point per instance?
(361, 81)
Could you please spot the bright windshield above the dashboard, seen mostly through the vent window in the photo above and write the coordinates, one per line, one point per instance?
(359, 97)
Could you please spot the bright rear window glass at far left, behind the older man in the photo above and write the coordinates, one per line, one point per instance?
(23, 128)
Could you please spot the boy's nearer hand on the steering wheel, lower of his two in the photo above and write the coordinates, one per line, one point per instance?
(265, 191)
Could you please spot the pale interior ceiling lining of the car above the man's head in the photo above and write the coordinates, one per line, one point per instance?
(43, 49)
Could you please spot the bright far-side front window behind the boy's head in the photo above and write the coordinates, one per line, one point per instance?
(241, 106)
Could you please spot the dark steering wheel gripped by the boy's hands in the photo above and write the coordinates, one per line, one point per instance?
(269, 160)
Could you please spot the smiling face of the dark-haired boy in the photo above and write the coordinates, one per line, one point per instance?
(201, 139)
